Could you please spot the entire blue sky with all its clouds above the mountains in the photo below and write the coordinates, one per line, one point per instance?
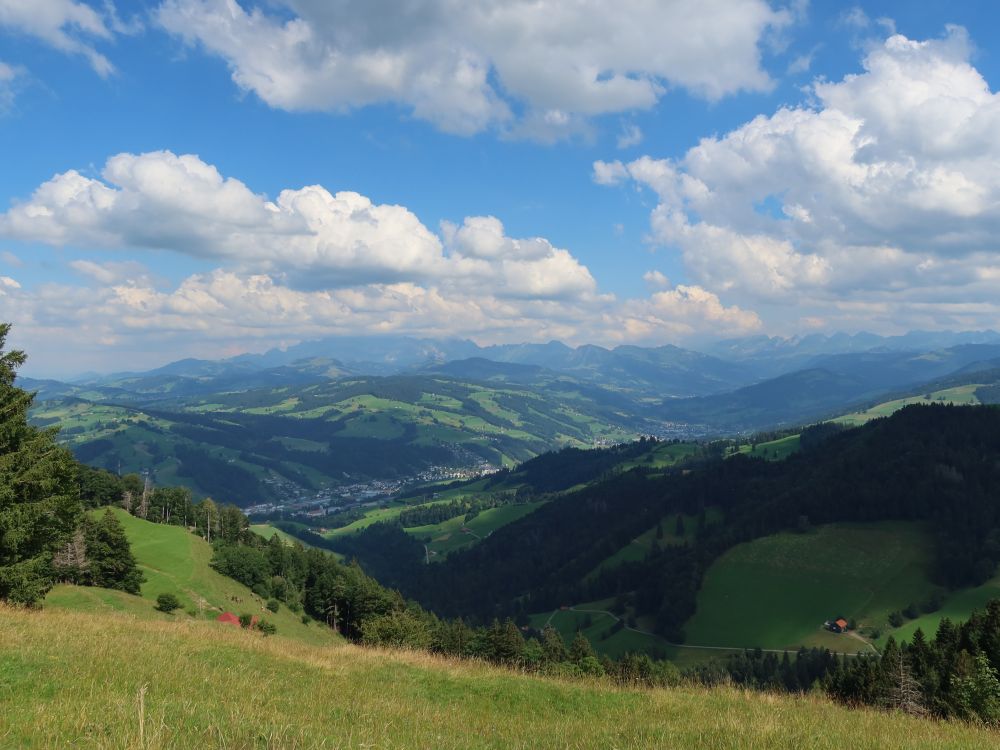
(210, 177)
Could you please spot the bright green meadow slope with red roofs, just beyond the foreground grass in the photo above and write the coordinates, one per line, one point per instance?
(175, 561)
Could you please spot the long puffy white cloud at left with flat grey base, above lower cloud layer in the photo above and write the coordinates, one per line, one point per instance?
(309, 237)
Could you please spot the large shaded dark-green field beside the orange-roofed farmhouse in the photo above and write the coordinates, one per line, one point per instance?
(776, 592)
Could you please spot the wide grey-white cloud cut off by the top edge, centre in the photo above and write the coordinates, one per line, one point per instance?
(467, 66)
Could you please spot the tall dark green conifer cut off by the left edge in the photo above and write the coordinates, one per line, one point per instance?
(39, 493)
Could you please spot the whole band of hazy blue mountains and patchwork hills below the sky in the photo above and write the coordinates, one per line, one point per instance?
(323, 411)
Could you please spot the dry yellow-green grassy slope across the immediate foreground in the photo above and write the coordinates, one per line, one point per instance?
(64, 681)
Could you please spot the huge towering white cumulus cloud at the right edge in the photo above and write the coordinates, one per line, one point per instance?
(886, 190)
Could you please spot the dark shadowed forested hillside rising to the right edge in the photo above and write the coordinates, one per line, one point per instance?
(939, 464)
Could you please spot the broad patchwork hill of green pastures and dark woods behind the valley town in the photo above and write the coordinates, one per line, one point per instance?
(277, 444)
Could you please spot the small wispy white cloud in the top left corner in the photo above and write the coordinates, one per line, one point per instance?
(68, 26)
